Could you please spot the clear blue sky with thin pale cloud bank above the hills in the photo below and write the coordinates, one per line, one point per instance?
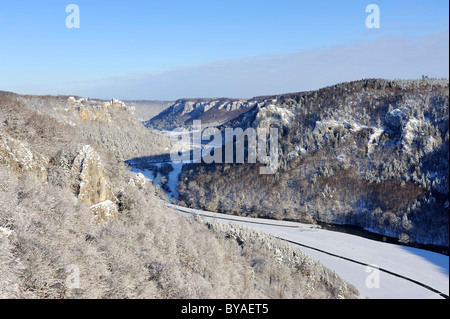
(172, 49)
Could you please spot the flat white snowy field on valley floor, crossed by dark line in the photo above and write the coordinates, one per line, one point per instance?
(425, 267)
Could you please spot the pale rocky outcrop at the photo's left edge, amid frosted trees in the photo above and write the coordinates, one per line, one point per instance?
(19, 156)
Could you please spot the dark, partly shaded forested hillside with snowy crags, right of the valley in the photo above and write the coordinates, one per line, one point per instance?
(371, 153)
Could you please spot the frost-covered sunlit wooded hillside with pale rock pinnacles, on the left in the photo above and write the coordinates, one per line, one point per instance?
(76, 223)
